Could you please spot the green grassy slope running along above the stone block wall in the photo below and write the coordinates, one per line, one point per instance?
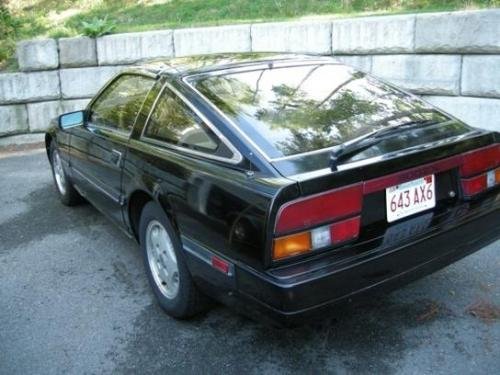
(22, 19)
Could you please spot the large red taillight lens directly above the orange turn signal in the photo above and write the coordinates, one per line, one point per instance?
(319, 209)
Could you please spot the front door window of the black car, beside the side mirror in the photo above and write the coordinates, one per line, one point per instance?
(118, 105)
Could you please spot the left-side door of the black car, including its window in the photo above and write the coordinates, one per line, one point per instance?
(111, 117)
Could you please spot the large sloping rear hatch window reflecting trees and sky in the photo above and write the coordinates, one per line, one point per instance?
(291, 110)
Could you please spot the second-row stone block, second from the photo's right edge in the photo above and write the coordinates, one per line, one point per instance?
(422, 74)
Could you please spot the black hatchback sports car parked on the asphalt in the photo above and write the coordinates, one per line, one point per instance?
(280, 185)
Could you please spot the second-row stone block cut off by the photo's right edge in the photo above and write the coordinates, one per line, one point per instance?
(481, 75)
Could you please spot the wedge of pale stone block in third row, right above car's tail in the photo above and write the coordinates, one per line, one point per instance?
(479, 112)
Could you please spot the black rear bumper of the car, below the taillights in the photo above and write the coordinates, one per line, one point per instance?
(290, 295)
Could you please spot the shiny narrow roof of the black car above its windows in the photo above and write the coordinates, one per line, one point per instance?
(182, 66)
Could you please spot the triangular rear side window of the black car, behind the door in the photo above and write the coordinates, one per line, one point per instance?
(172, 121)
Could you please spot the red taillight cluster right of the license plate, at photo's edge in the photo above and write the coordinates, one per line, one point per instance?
(479, 170)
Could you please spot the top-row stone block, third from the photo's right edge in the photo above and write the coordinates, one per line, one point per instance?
(309, 37)
